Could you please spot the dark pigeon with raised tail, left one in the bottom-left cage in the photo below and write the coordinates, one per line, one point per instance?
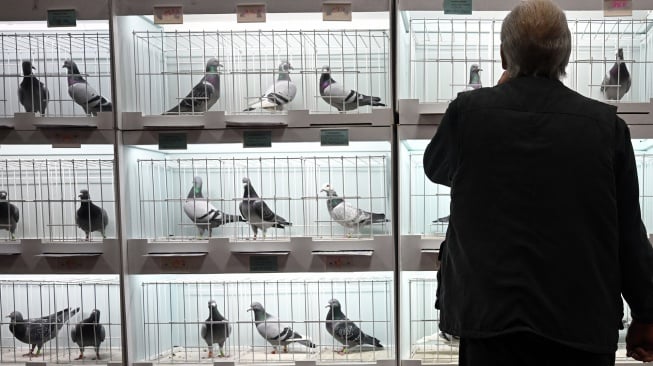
(37, 331)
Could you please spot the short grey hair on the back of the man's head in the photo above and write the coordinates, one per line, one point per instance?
(535, 40)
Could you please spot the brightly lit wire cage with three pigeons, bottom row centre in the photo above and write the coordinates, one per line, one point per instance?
(175, 312)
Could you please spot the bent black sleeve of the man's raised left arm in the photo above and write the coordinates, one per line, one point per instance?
(440, 154)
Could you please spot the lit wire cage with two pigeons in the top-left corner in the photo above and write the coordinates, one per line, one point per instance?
(47, 51)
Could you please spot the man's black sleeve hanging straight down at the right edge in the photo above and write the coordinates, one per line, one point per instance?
(635, 250)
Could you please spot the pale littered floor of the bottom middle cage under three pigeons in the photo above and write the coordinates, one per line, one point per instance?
(182, 355)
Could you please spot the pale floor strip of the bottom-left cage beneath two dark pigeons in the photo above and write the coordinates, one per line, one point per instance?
(10, 356)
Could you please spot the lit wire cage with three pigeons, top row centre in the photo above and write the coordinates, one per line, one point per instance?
(168, 64)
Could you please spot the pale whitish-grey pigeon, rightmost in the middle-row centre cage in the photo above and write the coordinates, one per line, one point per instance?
(346, 214)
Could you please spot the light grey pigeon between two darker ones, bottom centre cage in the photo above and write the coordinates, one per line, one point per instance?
(275, 332)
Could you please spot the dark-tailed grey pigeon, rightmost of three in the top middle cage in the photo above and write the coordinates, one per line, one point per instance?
(342, 99)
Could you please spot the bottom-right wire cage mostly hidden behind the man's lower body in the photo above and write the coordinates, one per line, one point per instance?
(432, 346)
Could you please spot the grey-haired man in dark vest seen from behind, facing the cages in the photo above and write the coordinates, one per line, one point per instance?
(545, 233)
